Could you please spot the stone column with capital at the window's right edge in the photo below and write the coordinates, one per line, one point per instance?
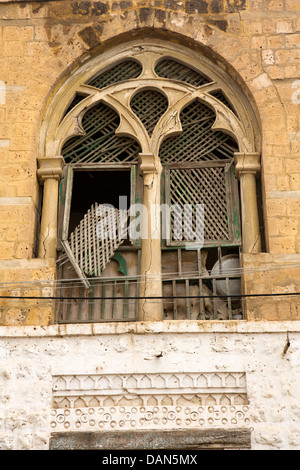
(247, 168)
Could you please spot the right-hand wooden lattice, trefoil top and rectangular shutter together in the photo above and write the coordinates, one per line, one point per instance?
(199, 171)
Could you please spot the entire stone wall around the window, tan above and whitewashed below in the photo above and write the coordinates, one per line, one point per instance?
(232, 376)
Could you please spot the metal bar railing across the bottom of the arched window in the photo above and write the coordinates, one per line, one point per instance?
(203, 295)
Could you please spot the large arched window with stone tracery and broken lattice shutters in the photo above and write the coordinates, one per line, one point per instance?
(152, 141)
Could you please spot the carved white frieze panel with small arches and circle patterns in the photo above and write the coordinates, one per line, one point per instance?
(149, 401)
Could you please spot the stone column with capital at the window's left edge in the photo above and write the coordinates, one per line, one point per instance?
(49, 173)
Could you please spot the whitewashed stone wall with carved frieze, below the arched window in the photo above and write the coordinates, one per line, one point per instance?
(169, 376)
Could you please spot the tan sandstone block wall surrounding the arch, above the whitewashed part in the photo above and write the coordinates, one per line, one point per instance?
(42, 43)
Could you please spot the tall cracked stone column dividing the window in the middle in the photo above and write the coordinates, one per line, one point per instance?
(150, 271)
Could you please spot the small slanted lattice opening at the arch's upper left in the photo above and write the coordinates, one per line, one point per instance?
(123, 71)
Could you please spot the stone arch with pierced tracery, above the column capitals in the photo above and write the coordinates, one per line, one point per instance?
(243, 123)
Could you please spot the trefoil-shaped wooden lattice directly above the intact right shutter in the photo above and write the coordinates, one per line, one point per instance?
(197, 142)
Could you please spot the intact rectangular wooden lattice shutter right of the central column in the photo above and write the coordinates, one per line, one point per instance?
(214, 187)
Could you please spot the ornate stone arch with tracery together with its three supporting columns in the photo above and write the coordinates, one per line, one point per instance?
(193, 77)
